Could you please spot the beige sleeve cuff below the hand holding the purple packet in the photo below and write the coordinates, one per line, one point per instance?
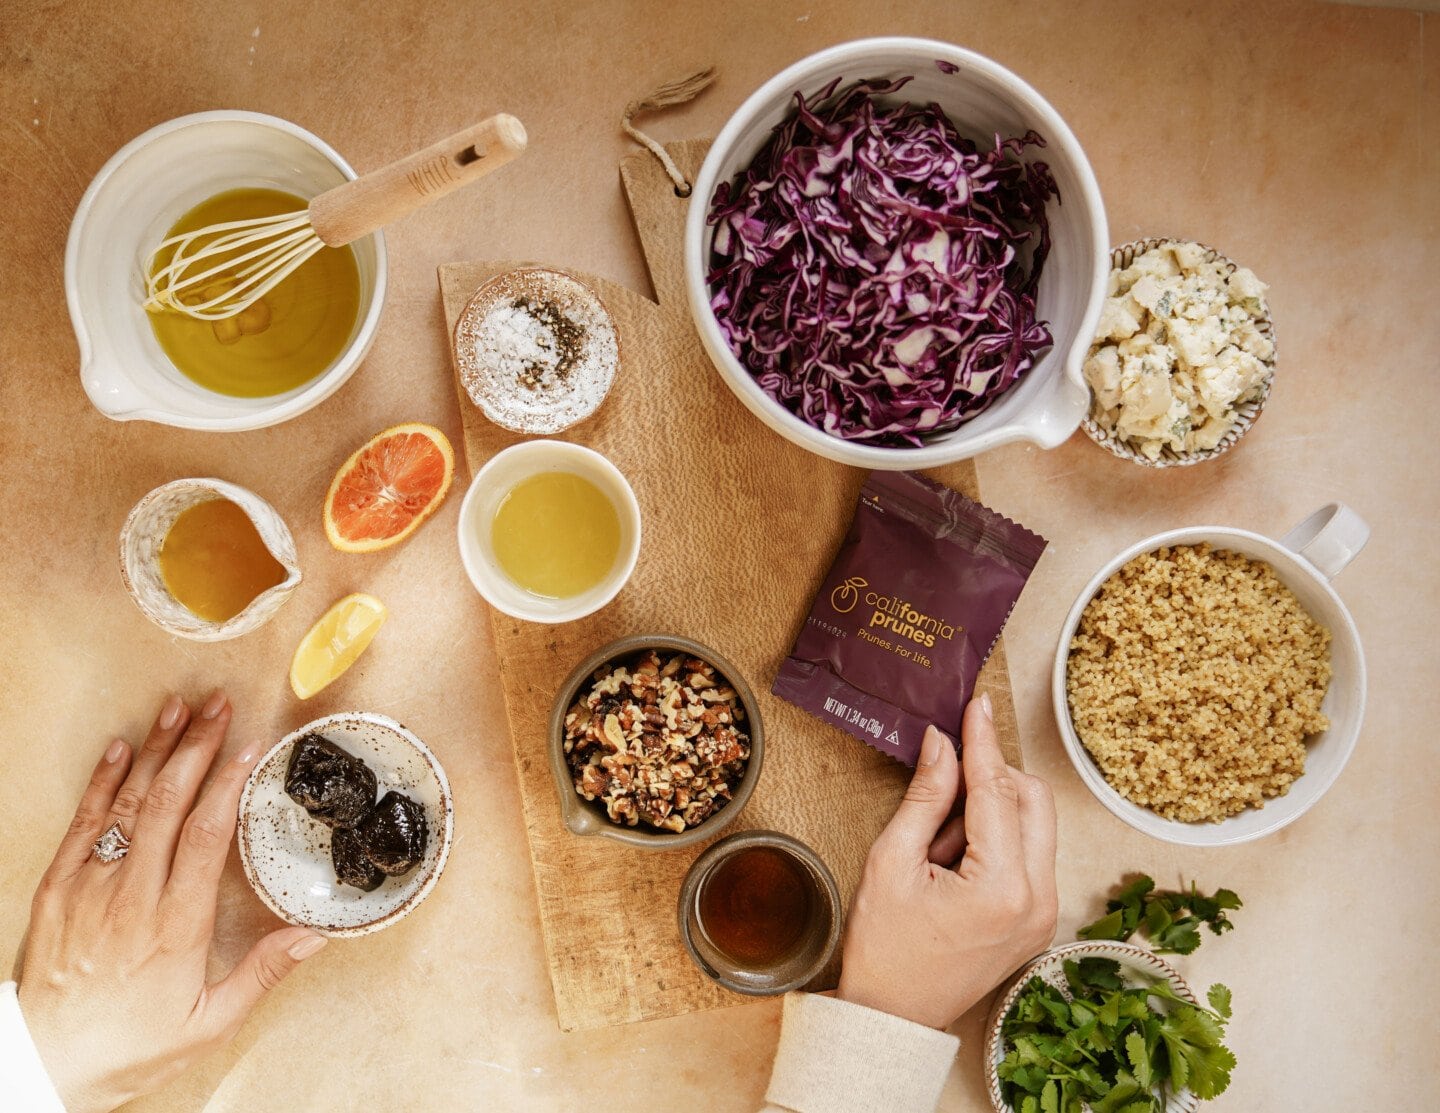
(837, 1058)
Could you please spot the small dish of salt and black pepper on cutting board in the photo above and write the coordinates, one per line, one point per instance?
(536, 351)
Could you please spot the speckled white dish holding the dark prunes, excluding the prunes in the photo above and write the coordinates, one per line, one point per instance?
(287, 855)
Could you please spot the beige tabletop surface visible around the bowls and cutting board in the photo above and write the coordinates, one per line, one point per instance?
(1301, 139)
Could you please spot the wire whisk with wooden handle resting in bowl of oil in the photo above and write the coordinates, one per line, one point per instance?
(222, 270)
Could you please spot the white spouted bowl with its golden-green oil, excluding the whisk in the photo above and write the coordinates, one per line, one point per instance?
(273, 364)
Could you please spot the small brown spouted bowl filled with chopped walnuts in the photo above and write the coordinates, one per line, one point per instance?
(656, 742)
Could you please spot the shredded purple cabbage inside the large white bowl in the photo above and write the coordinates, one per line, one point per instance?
(868, 269)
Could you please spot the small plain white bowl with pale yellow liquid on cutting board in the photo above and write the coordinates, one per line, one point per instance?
(549, 532)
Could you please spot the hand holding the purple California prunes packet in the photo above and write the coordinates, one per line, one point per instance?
(950, 906)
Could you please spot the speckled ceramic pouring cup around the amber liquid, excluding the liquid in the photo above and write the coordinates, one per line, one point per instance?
(145, 535)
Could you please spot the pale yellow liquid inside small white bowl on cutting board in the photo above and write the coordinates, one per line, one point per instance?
(557, 535)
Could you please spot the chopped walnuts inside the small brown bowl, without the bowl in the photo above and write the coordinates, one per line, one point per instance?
(656, 741)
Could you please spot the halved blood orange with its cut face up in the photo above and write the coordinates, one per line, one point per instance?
(391, 485)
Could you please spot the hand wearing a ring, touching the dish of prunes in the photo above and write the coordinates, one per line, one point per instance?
(114, 980)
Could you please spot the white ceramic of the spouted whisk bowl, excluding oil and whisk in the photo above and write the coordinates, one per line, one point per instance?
(146, 188)
